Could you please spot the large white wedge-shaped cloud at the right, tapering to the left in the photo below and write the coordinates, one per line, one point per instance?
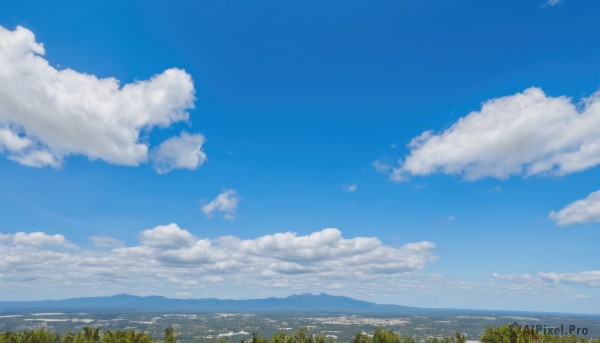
(526, 134)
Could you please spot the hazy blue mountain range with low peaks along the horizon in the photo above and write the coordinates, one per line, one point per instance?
(323, 303)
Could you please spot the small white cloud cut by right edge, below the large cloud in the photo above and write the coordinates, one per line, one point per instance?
(580, 211)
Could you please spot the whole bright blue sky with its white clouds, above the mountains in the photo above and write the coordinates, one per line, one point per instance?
(424, 153)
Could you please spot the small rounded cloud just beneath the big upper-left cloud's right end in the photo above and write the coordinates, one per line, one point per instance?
(180, 152)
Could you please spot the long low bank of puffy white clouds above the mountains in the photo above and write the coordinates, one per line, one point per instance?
(168, 257)
